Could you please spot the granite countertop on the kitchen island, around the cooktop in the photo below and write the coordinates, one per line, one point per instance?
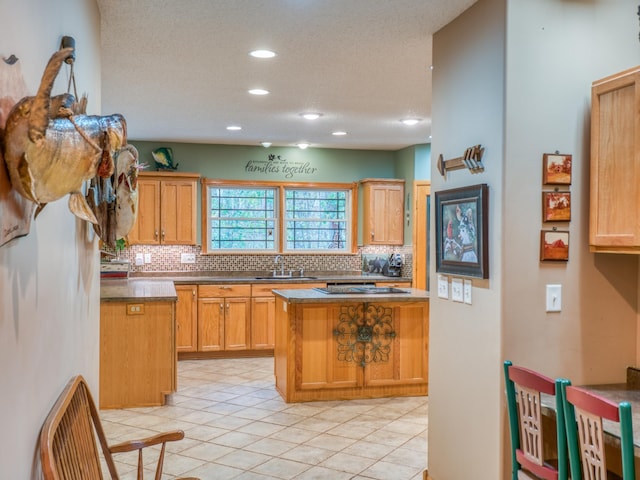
(315, 296)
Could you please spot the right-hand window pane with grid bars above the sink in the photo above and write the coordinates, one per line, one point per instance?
(316, 220)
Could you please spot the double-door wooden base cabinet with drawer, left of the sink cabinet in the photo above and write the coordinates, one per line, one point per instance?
(224, 317)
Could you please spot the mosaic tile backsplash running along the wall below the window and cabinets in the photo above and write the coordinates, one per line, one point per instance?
(168, 259)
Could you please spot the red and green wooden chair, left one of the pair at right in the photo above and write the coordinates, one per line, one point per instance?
(524, 388)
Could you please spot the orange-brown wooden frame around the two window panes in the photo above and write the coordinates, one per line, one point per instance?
(280, 187)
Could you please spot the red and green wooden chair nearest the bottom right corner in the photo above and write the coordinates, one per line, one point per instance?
(584, 412)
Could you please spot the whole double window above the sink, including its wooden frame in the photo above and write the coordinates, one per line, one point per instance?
(269, 217)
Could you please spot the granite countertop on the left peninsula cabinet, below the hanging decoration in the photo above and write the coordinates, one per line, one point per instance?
(137, 290)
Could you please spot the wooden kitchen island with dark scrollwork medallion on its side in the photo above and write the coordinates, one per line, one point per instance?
(351, 343)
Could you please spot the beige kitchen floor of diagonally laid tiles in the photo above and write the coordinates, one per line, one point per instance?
(238, 427)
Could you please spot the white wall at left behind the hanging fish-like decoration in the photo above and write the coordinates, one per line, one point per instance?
(49, 280)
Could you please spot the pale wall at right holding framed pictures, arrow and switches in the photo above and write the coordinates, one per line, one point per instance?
(515, 76)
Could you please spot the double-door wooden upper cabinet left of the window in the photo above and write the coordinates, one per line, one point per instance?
(166, 209)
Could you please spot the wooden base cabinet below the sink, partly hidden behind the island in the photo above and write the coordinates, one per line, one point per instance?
(263, 311)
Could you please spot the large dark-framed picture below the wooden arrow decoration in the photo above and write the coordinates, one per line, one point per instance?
(462, 231)
